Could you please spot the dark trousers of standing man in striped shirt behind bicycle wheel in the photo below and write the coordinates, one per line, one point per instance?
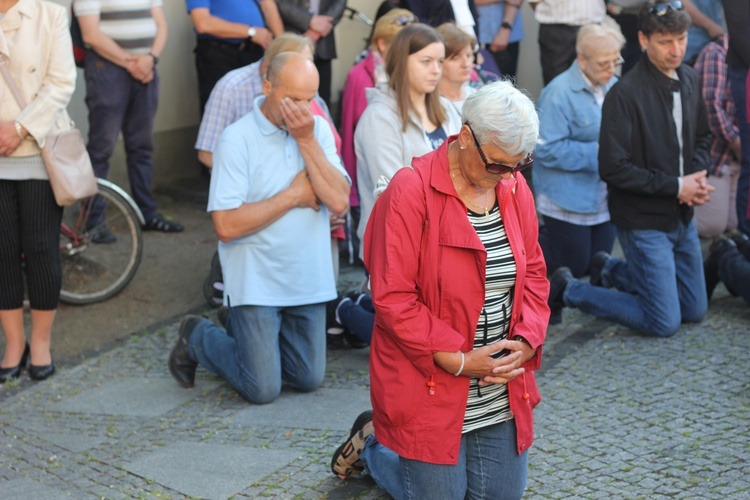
(118, 102)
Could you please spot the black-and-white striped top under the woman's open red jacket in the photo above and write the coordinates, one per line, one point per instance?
(489, 405)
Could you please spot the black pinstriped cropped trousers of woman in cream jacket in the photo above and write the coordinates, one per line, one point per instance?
(29, 243)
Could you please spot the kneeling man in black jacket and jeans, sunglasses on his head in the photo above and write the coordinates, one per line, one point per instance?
(653, 154)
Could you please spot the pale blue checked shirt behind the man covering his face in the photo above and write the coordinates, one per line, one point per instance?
(231, 99)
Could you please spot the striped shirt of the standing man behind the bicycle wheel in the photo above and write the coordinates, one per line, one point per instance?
(127, 22)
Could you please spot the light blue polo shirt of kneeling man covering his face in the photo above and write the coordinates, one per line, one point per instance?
(287, 263)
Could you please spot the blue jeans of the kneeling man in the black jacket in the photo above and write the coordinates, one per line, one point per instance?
(658, 286)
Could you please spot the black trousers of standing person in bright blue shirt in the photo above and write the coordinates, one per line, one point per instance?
(216, 58)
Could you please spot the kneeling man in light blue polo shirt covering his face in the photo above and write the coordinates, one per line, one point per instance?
(276, 175)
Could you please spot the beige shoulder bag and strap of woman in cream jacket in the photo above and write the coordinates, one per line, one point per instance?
(65, 157)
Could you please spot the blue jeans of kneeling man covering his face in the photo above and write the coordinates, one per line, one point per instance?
(263, 346)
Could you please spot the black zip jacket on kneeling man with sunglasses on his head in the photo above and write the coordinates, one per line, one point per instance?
(639, 150)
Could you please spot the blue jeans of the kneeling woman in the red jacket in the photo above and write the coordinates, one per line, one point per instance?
(488, 467)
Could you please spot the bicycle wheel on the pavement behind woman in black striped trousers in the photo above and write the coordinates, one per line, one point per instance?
(93, 272)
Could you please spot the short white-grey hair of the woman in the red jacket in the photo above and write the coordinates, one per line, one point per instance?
(501, 114)
